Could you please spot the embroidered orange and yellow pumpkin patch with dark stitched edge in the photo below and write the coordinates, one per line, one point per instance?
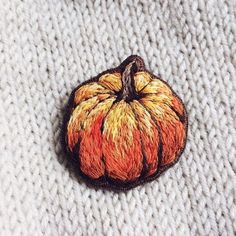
(125, 126)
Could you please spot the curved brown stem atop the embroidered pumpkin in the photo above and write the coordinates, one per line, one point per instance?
(128, 92)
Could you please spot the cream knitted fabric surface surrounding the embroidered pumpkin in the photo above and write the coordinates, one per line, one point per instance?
(47, 47)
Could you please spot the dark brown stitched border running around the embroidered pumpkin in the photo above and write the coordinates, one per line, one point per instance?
(109, 183)
